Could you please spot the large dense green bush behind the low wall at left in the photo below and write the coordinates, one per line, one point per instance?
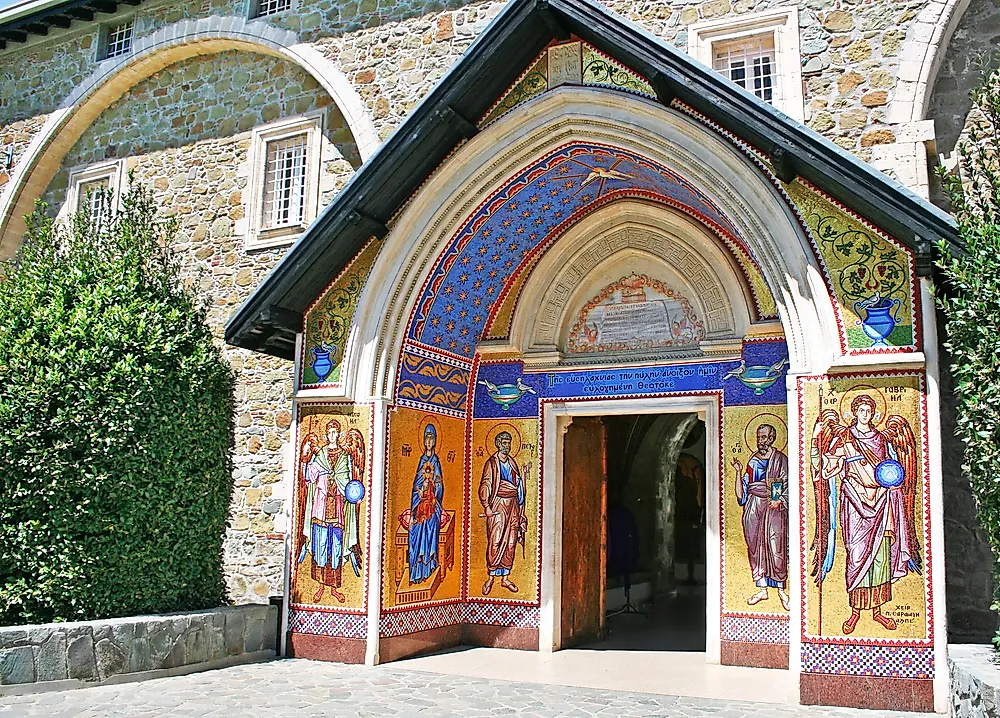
(115, 425)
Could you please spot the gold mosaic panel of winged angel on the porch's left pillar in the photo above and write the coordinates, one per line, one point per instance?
(330, 515)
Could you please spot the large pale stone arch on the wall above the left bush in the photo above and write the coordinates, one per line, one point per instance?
(151, 53)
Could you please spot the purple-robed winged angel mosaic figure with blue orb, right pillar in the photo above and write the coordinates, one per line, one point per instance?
(877, 497)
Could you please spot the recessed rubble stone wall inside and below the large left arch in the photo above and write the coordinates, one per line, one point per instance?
(185, 132)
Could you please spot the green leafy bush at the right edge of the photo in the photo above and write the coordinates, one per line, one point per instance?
(971, 301)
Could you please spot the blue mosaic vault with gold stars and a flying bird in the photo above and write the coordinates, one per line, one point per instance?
(524, 217)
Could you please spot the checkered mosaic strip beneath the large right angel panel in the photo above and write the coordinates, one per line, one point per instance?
(880, 661)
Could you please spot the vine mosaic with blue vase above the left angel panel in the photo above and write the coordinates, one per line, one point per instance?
(328, 321)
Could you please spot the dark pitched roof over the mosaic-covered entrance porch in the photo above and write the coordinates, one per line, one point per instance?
(270, 318)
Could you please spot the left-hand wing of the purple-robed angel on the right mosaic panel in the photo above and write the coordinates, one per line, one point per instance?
(827, 432)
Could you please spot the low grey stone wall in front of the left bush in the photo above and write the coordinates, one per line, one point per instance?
(68, 655)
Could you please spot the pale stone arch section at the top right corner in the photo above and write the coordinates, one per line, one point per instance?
(921, 56)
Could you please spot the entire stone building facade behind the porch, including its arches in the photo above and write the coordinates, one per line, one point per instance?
(188, 104)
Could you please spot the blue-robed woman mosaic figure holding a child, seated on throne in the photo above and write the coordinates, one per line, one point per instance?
(426, 511)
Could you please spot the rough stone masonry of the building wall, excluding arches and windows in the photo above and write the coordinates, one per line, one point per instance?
(188, 136)
